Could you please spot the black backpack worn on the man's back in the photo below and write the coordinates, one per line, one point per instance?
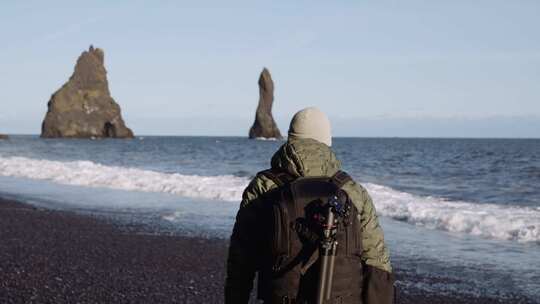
(289, 259)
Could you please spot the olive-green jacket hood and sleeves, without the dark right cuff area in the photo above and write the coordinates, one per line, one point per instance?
(301, 157)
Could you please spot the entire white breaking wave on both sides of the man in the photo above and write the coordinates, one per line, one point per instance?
(490, 221)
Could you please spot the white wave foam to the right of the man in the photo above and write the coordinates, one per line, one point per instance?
(485, 220)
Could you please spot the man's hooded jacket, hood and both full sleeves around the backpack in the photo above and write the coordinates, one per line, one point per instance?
(306, 158)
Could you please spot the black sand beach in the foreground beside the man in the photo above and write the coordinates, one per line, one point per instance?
(51, 256)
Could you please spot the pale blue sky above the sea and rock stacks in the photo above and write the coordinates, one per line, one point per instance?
(377, 68)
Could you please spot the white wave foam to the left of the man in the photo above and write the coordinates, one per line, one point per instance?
(87, 173)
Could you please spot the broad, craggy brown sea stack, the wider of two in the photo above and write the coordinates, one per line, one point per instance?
(83, 106)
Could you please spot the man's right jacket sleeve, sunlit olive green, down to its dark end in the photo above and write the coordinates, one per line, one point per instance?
(379, 280)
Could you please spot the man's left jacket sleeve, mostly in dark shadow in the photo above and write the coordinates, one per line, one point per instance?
(242, 259)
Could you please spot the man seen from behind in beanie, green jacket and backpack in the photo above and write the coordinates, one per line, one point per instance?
(284, 249)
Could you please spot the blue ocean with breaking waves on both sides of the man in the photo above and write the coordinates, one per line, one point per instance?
(465, 212)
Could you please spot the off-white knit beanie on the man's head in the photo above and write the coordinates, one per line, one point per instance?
(311, 123)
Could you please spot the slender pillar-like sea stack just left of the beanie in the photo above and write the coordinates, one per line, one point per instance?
(264, 125)
